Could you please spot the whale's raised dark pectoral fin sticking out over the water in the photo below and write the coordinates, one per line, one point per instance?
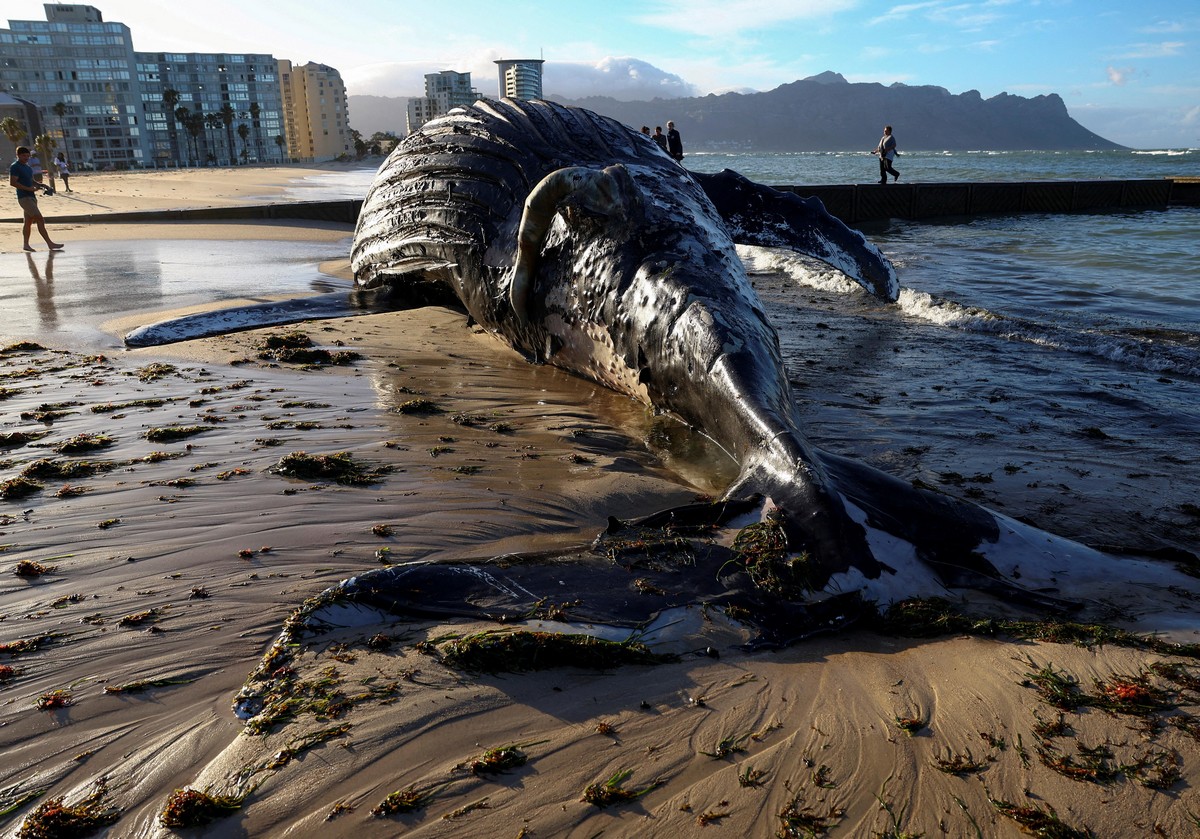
(761, 215)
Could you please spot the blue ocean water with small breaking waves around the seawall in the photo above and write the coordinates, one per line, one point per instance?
(1047, 367)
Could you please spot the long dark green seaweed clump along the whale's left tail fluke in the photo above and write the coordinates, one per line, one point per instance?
(501, 651)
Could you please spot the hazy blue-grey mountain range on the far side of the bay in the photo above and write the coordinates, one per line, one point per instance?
(827, 113)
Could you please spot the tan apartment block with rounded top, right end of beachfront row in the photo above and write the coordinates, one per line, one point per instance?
(315, 111)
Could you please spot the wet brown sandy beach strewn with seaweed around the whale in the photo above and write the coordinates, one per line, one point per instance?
(155, 546)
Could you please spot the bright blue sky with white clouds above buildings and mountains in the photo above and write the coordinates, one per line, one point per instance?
(1127, 70)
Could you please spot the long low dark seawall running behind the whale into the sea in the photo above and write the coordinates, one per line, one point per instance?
(854, 203)
